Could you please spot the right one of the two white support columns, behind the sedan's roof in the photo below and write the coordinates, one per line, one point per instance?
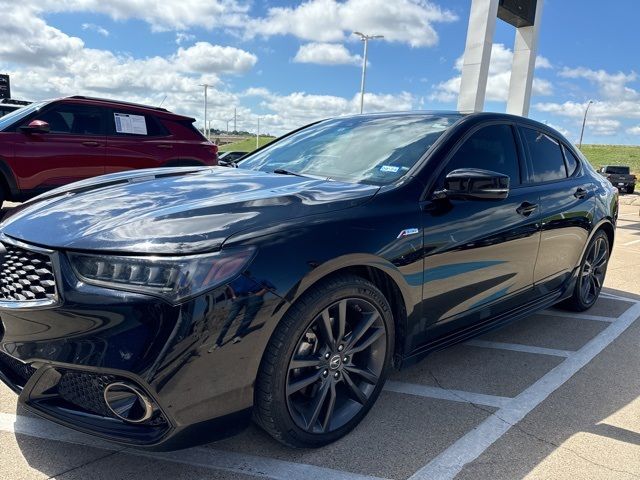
(525, 50)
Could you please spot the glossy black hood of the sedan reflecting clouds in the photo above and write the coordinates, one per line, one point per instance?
(173, 211)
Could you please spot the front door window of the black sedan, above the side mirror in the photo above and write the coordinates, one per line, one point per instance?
(490, 148)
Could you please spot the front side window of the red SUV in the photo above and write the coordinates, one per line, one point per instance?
(74, 119)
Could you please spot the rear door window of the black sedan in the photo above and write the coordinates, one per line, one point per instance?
(546, 156)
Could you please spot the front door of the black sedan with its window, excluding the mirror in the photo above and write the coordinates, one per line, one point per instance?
(480, 254)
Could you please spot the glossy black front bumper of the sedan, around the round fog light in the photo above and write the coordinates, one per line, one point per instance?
(60, 357)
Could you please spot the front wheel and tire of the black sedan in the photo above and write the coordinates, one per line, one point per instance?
(304, 351)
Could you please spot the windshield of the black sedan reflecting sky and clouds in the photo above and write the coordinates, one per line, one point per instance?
(375, 150)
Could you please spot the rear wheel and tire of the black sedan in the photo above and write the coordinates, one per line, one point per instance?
(593, 269)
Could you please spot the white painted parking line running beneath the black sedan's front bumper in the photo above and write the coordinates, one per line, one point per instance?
(197, 457)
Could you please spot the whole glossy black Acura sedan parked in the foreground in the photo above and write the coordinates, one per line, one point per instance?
(165, 308)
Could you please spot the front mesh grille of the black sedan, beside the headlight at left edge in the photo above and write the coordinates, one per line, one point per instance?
(26, 275)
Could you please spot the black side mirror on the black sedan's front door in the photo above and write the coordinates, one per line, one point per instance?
(475, 184)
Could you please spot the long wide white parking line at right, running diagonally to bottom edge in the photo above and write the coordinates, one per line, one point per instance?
(469, 447)
